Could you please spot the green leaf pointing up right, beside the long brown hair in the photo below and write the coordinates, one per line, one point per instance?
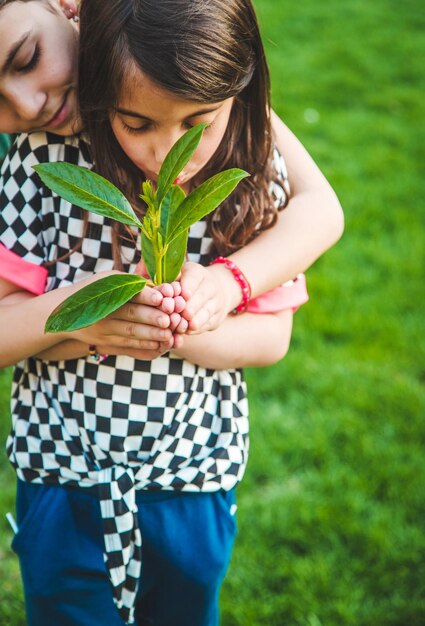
(203, 200)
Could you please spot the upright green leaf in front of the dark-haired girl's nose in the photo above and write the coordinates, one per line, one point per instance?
(177, 159)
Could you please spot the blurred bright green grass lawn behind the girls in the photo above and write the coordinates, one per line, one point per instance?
(331, 512)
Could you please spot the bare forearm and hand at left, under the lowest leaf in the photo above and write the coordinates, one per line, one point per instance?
(138, 328)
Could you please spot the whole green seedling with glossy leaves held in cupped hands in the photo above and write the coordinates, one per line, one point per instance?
(164, 228)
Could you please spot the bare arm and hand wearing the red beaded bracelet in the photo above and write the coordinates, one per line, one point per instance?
(311, 223)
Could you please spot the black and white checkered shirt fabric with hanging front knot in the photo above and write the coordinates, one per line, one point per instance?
(124, 424)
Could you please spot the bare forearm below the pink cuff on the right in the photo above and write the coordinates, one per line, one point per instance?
(248, 340)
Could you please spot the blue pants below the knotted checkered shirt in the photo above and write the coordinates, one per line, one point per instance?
(187, 544)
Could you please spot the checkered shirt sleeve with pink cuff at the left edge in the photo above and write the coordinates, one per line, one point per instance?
(22, 252)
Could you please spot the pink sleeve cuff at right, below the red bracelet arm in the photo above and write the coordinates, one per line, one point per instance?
(291, 295)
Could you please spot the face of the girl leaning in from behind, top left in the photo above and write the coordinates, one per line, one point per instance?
(38, 69)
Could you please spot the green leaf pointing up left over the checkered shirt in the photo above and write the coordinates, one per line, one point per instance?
(88, 190)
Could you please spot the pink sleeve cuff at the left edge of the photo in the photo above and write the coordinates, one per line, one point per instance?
(24, 274)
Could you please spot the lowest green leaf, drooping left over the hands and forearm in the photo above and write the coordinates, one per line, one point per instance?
(94, 302)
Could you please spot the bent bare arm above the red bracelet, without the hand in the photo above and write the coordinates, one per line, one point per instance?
(310, 224)
